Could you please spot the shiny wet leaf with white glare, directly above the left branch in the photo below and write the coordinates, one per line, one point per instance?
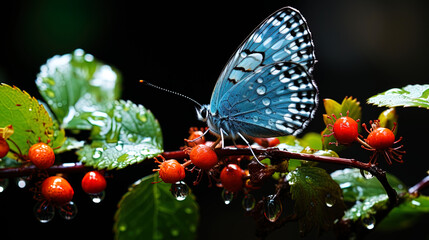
(126, 134)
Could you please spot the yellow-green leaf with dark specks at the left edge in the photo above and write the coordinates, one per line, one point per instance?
(29, 120)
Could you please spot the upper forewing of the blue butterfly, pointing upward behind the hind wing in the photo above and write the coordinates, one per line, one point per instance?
(283, 36)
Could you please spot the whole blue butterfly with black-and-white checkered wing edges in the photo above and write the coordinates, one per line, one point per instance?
(266, 89)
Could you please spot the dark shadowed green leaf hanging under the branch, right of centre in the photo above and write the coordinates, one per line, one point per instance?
(318, 199)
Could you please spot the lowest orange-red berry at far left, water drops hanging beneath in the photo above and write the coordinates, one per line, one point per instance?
(57, 190)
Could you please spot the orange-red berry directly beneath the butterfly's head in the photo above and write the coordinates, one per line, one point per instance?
(203, 157)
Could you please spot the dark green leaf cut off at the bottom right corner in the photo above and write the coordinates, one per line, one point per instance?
(406, 214)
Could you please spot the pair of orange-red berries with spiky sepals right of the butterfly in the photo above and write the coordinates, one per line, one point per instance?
(380, 140)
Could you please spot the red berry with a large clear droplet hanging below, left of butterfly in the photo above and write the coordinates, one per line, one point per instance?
(171, 171)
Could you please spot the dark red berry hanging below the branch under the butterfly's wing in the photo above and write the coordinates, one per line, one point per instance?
(231, 178)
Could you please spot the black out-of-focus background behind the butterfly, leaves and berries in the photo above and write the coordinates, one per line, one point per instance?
(363, 48)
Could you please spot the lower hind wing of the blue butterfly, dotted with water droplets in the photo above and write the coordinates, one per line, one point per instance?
(276, 100)
